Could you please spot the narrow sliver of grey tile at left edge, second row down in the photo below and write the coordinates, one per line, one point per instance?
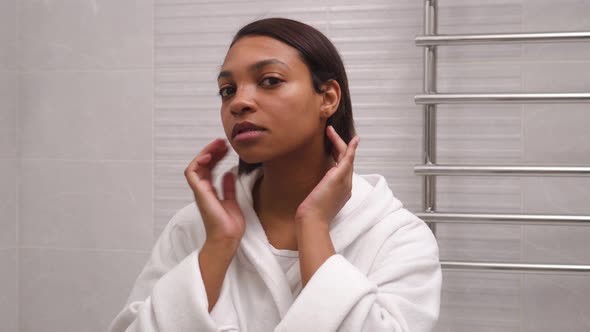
(9, 85)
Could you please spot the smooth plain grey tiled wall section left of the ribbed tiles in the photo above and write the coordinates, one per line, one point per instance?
(84, 201)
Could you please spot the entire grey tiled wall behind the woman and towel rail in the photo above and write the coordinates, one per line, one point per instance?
(116, 97)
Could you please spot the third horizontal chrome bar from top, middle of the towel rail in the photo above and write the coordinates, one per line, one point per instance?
(503, 170)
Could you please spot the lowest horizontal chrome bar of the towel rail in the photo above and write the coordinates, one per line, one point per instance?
(516, 267)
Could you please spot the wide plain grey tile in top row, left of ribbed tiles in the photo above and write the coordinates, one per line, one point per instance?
(82, 35)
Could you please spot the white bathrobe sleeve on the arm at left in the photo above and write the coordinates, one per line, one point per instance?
(169, 294)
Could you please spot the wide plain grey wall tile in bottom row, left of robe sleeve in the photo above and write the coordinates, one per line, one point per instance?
(75, 290)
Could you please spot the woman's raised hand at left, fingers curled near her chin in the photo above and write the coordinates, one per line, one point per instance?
(223, 219)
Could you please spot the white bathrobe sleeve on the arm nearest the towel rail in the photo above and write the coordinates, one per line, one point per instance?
(401, 292)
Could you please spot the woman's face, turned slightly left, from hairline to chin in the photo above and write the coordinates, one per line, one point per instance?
(269, 108)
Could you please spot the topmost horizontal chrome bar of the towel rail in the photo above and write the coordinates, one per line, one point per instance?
(497, 38)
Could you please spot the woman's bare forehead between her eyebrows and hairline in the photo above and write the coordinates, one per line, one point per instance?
(252, 49)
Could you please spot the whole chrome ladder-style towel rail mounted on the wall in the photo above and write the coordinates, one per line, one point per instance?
(430, 169)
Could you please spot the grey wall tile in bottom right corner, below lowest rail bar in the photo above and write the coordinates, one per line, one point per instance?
(556, 303)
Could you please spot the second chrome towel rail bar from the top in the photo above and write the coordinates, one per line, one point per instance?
(501, 98)
